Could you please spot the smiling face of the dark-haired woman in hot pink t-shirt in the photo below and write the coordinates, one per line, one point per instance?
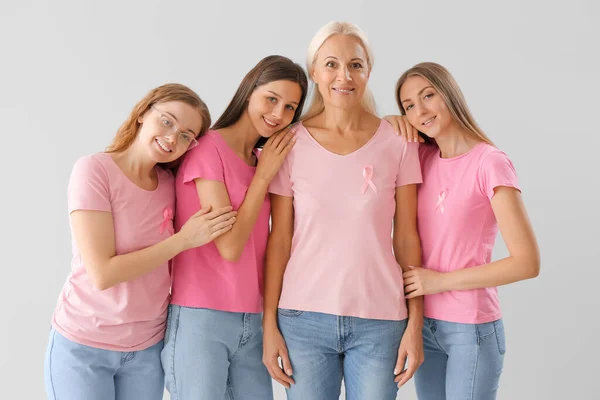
(272, 106)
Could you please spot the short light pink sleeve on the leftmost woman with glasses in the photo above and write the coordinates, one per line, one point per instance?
(88, 186)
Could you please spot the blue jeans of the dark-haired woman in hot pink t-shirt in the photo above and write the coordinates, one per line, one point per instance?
(214, 355)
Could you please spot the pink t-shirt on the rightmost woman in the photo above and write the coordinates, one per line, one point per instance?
(458, 227)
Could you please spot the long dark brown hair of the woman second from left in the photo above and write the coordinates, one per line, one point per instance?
(269, 69)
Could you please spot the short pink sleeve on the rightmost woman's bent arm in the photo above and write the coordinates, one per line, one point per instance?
(497, 170)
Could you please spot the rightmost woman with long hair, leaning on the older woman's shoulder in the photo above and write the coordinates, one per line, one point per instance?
(469, 190)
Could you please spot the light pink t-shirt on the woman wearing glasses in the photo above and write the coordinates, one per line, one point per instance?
(130, 316)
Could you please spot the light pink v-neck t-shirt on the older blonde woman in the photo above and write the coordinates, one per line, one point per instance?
(342, 259)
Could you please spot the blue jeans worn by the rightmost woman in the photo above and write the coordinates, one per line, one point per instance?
(462, 361)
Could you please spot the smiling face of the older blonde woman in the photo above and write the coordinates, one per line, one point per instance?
(341, 71)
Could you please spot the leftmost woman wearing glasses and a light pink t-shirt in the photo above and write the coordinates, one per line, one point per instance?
(109, 323)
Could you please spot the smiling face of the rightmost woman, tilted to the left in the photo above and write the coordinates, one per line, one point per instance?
(425, 108)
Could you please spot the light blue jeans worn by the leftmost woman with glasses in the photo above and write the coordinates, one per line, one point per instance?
(73, 371)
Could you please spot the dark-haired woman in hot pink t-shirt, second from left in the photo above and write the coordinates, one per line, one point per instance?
(213, 348)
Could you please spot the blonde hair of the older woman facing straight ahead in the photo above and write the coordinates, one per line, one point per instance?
(316, 104)
